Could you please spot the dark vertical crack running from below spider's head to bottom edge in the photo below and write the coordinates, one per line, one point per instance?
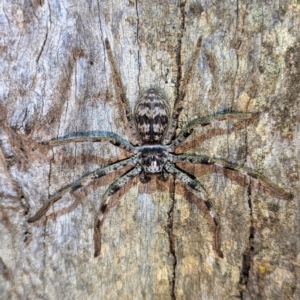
(171, 240)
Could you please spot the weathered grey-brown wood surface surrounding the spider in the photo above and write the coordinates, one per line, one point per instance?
(156, 244)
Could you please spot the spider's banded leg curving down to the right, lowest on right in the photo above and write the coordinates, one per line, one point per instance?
(197, 188)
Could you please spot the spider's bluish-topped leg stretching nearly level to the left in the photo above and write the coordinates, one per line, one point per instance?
(92, 136)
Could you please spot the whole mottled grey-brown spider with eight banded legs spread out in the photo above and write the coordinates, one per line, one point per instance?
(153, 128)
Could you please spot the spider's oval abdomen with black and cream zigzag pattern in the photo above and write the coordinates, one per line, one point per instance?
(152, 115)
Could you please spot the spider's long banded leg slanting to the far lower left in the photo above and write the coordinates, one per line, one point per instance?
(80, 182)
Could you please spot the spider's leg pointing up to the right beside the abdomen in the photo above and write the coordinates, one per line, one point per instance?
(179, 98)
